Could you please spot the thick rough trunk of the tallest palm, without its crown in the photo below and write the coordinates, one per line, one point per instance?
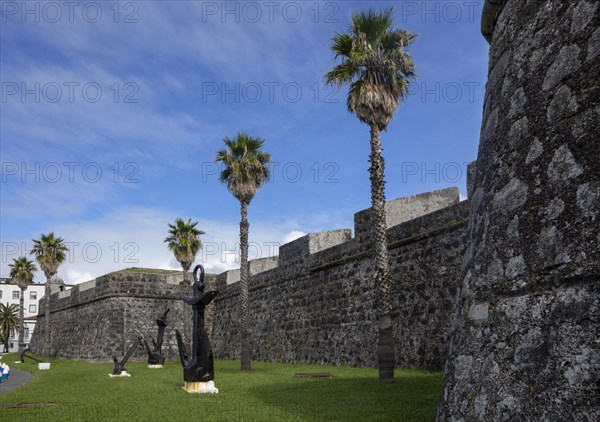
(383, 288)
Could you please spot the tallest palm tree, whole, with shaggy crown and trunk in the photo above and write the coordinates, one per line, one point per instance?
(376, 65)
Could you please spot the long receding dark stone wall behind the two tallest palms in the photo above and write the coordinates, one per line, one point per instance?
(316, 306)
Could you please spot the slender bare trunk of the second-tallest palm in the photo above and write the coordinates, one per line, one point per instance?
(244, 299)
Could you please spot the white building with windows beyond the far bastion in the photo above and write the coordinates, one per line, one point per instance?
(11, 293)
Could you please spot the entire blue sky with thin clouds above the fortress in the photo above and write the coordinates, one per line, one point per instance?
(111, 113)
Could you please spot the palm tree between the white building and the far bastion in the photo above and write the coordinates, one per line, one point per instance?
(49, 252)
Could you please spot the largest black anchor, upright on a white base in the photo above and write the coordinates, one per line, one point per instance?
(199, 369)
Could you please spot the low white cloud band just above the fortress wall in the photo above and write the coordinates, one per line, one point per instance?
(134, 237)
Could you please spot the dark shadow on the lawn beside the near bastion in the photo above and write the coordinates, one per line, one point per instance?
(411, 398)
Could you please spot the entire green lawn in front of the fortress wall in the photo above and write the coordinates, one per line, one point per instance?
(82, 391)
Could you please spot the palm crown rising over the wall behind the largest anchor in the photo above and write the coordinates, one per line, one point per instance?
(184, 242)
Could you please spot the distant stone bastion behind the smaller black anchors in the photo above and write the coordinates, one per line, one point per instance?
(102, 317)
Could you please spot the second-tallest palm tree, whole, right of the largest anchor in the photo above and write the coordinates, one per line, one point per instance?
(245, 170)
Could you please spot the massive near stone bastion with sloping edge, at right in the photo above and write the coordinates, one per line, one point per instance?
(525, 342)
